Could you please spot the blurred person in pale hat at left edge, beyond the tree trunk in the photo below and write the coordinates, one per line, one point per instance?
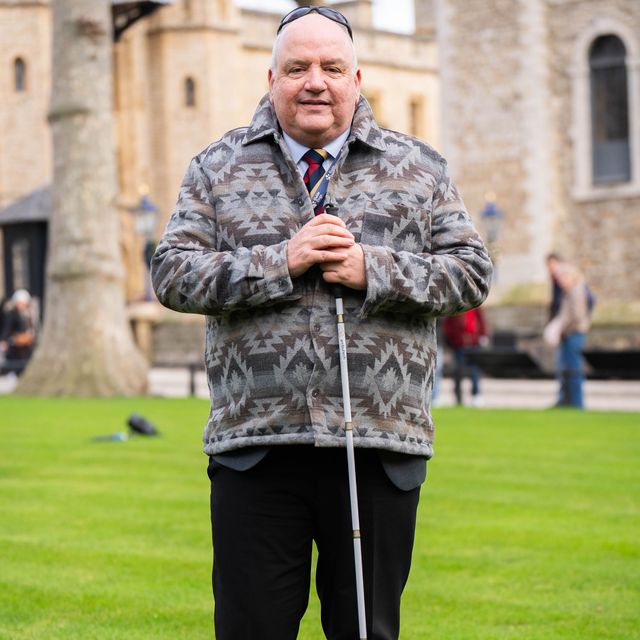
(18, 332)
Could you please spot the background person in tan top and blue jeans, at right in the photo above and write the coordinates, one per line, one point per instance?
(567, 331)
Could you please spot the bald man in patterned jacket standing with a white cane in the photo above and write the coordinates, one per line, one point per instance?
(244, 247)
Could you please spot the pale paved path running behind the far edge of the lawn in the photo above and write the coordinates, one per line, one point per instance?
(615, 395)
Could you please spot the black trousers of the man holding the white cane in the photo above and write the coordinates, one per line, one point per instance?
(264, 521)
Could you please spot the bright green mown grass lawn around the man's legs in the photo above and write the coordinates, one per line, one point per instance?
(529, 526)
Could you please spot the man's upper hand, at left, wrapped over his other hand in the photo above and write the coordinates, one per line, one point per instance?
(325, 239)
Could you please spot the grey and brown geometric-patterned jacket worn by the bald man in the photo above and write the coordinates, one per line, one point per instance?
(271, 342)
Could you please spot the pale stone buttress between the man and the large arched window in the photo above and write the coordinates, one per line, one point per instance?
(484, 112)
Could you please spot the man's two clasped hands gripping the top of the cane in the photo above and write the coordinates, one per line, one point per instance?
(327, 242)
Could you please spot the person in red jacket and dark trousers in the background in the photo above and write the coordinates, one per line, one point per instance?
(465, 332)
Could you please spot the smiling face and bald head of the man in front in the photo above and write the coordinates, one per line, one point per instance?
(314, 88)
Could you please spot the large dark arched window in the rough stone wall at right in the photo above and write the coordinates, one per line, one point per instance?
(609, 110)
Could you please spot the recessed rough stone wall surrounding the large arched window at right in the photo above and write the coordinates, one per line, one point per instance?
(602, 233)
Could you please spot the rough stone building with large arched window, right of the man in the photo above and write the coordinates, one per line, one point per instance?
(541, 107)
